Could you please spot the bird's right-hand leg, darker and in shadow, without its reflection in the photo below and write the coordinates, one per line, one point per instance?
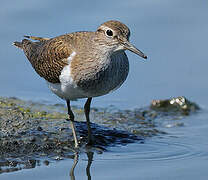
(87, 113)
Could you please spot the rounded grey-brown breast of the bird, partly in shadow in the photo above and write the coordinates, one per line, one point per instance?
(102, 76)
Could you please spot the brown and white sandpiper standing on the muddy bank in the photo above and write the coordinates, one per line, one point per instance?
(82, 64)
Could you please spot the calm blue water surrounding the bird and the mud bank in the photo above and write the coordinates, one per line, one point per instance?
(174, 36)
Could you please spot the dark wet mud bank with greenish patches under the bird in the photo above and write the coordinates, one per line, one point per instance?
(30, 132)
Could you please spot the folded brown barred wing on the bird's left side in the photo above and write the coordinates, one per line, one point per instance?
(48, 56)
